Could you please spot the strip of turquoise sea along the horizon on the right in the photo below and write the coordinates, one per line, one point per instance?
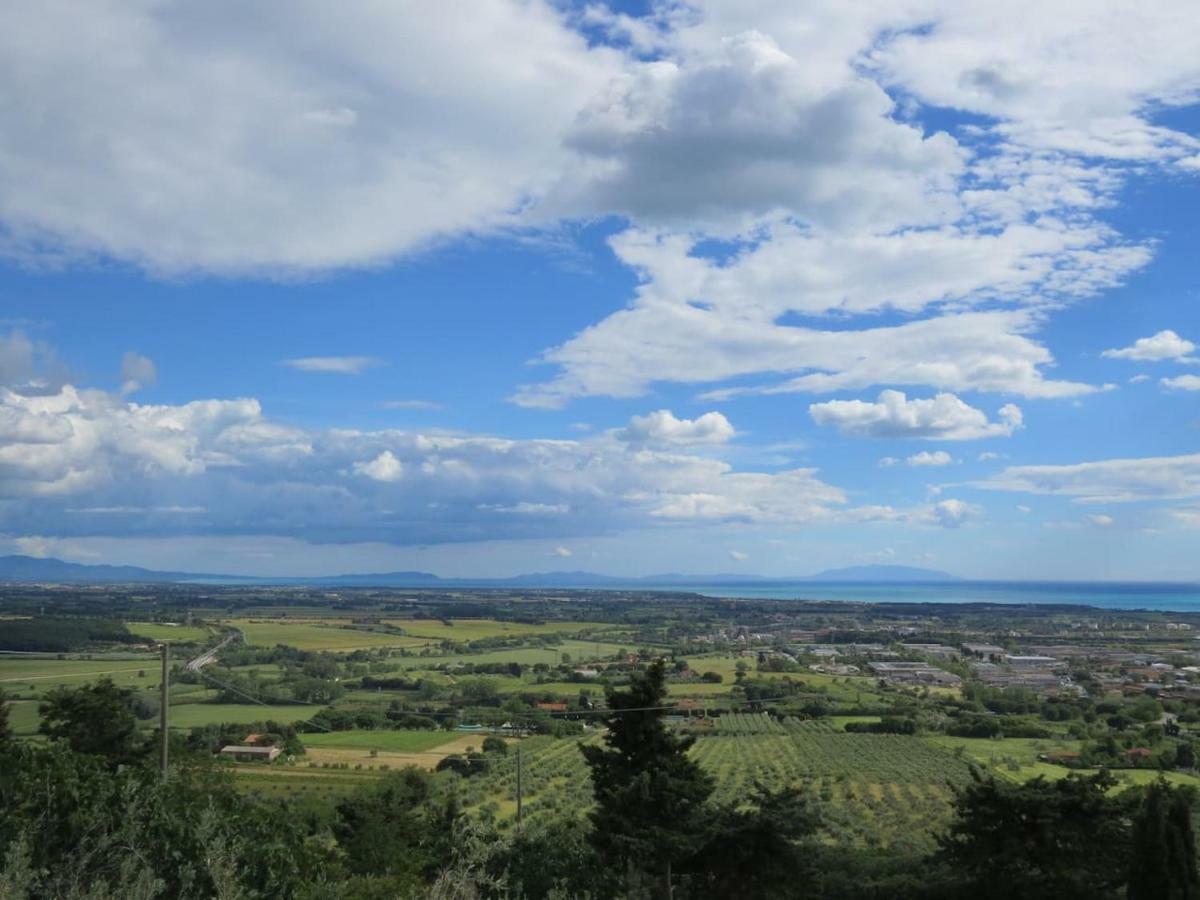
(1168, 597)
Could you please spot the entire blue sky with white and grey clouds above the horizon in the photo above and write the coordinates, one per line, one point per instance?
(494, 287)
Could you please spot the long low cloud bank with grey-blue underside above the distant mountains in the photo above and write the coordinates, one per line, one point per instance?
(85, 463)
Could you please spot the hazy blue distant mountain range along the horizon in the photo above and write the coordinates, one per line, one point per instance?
(34, 569)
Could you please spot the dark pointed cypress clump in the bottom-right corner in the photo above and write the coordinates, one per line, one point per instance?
(1163, 865)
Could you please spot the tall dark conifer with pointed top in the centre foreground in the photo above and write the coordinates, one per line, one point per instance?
(649, 791)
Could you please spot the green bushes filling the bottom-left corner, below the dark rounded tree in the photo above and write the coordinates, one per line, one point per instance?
(71, 826)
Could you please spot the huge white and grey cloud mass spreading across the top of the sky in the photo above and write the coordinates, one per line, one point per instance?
(175, 137)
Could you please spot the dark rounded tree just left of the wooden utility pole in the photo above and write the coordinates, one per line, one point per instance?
(97, 719)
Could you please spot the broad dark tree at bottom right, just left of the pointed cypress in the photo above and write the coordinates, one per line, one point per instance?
(1069, 841)
